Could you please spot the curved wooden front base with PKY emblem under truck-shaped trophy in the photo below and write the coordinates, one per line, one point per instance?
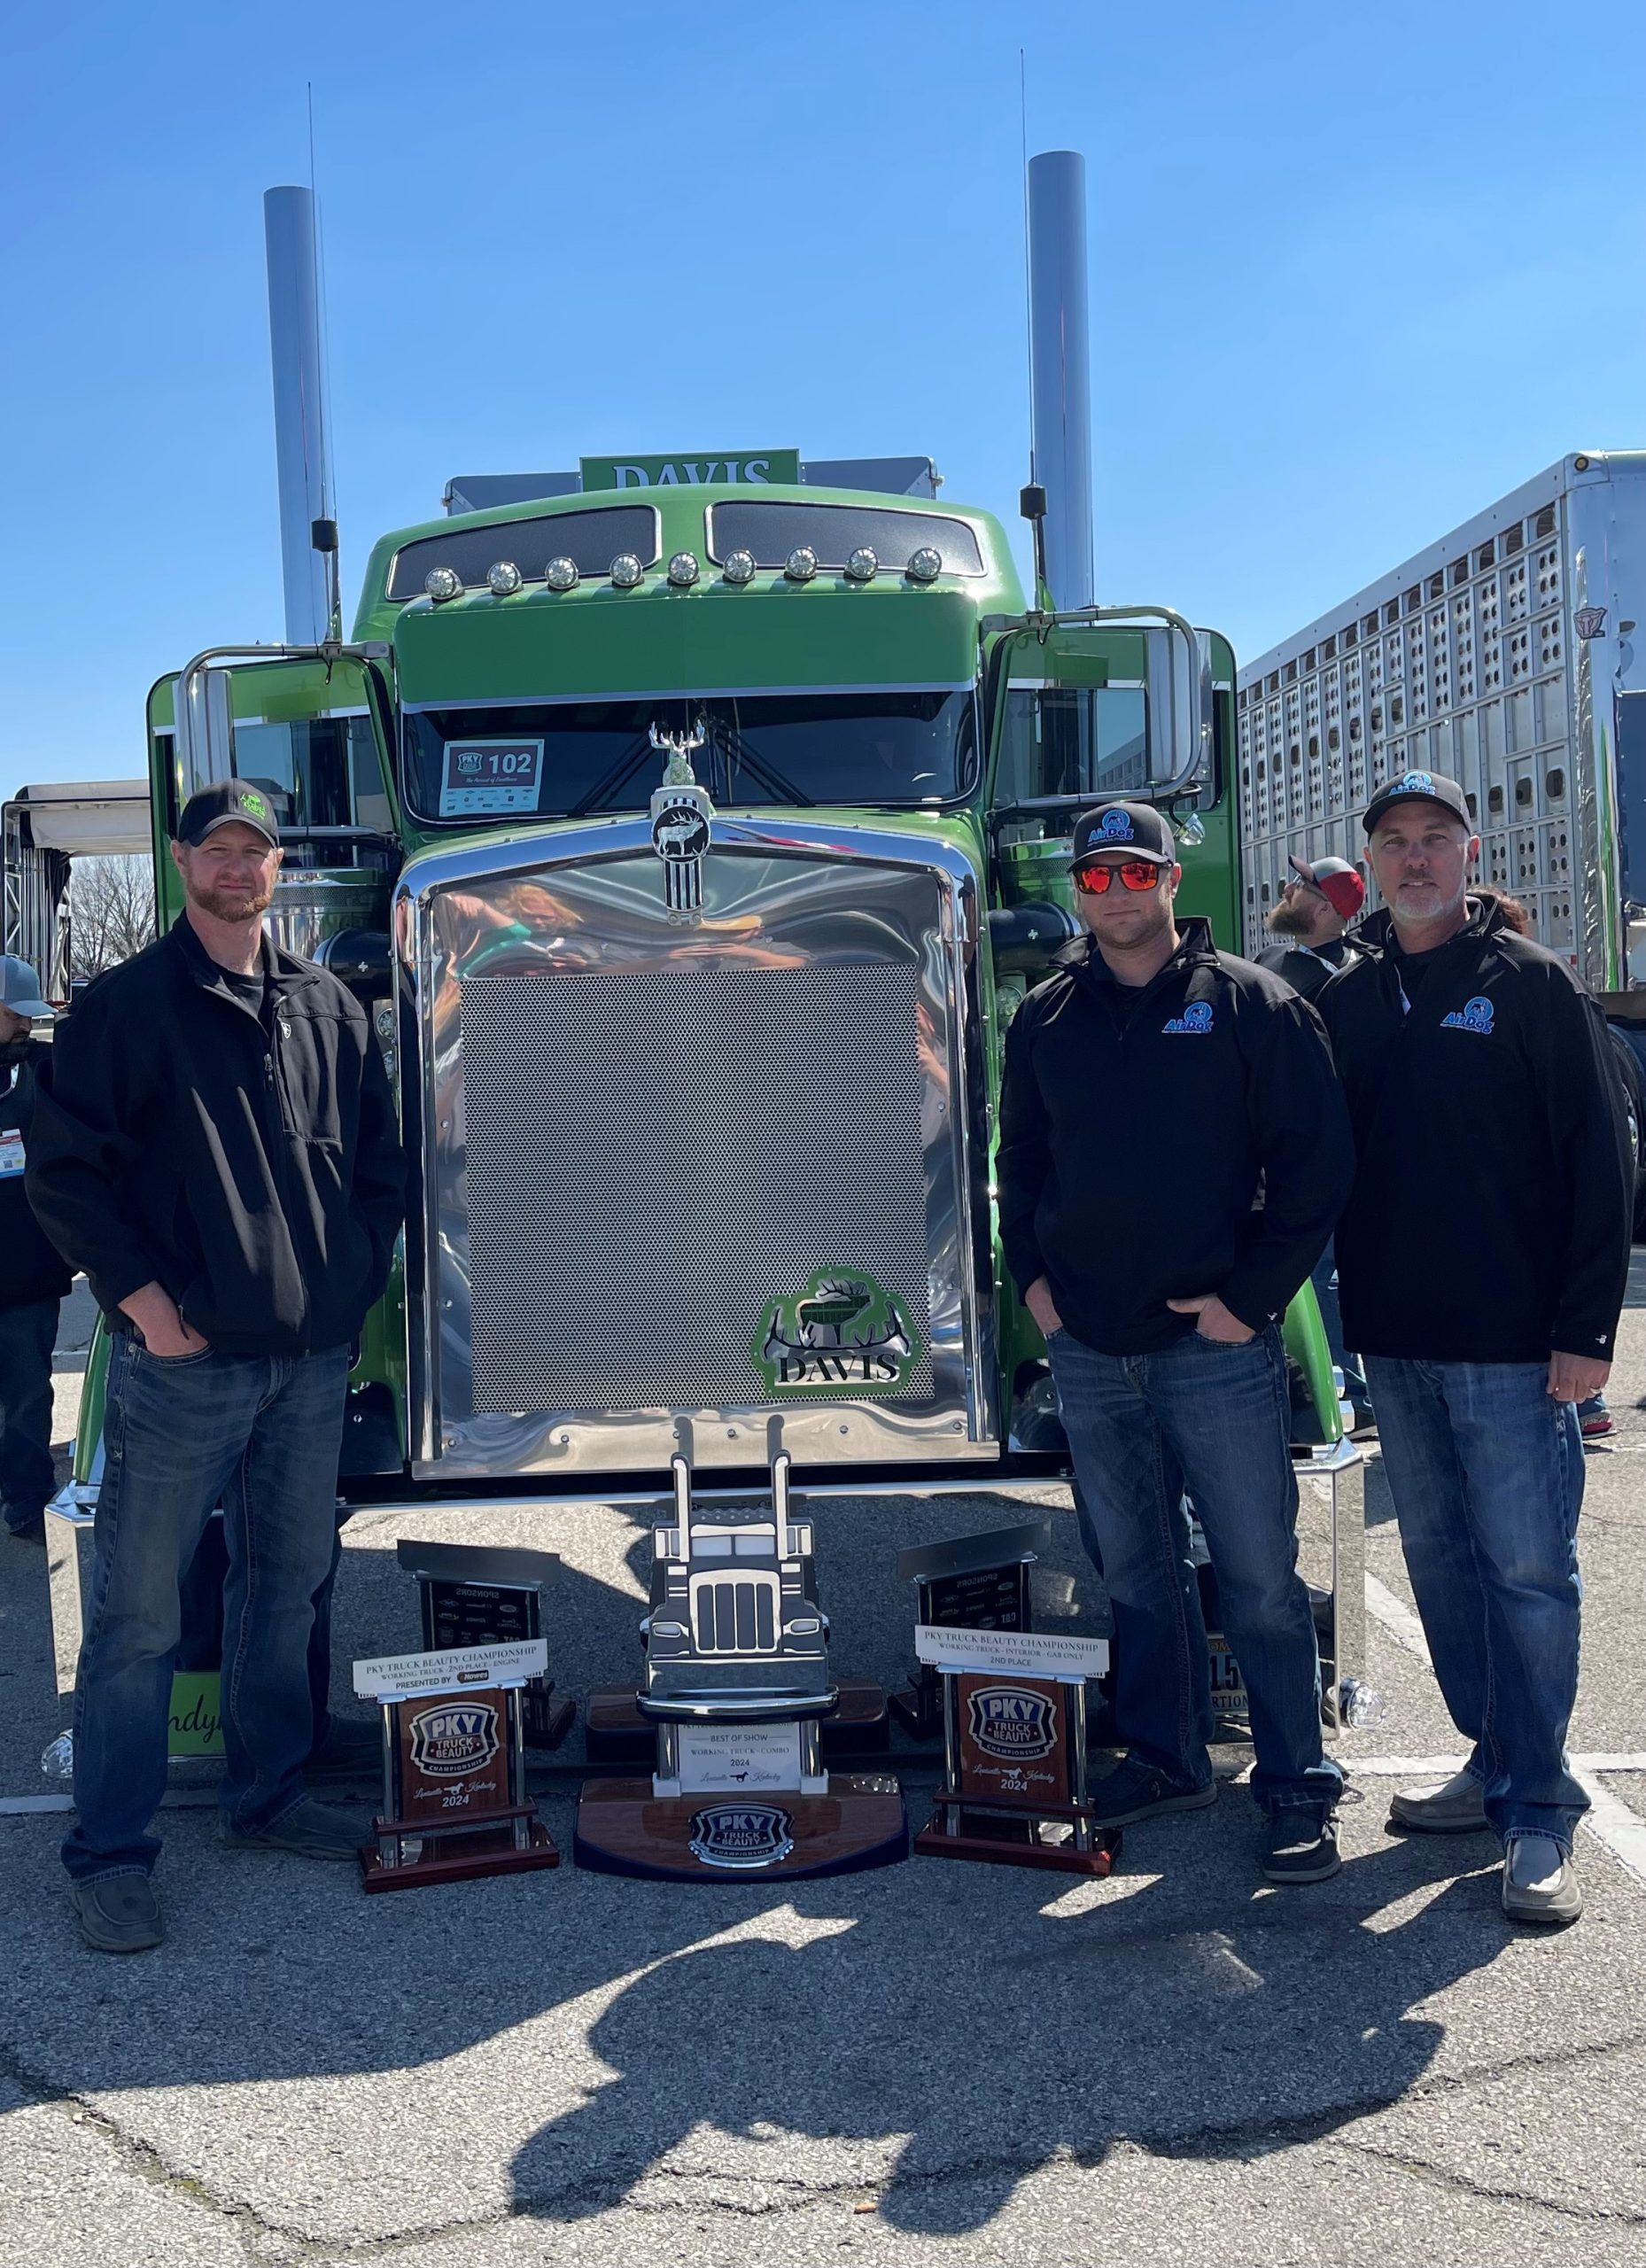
(729, 1838)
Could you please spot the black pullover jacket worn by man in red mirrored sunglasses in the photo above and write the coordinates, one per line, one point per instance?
(1135, 1133)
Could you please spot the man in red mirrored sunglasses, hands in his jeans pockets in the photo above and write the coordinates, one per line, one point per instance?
(1151, 1088)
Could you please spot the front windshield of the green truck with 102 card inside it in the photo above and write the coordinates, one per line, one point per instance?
(566, 759)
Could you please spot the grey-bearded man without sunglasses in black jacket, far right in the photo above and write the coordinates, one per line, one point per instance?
(1484, 1260)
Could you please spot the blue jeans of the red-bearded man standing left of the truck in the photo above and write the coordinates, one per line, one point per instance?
(262, 1435)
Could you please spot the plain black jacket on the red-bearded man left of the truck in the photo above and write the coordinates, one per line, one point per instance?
(253, 1174)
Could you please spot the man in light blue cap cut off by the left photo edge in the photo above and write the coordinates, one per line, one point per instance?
(33, 1276)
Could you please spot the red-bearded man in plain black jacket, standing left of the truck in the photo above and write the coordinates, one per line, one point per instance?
(217, 1149)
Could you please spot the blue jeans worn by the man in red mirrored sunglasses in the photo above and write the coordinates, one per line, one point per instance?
(1214, 1419)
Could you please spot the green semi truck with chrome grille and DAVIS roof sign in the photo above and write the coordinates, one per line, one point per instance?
(695, 845)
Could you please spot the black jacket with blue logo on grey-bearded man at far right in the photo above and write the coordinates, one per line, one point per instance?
(1493, 1201)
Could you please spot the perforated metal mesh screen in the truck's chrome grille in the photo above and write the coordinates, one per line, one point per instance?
(654, 1156)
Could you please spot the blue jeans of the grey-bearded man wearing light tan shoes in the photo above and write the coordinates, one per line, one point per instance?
(1488, 1480)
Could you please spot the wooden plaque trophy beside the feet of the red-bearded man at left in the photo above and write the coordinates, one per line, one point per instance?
(455, 1766)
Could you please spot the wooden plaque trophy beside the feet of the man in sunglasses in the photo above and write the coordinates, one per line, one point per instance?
(1015, 1750)
